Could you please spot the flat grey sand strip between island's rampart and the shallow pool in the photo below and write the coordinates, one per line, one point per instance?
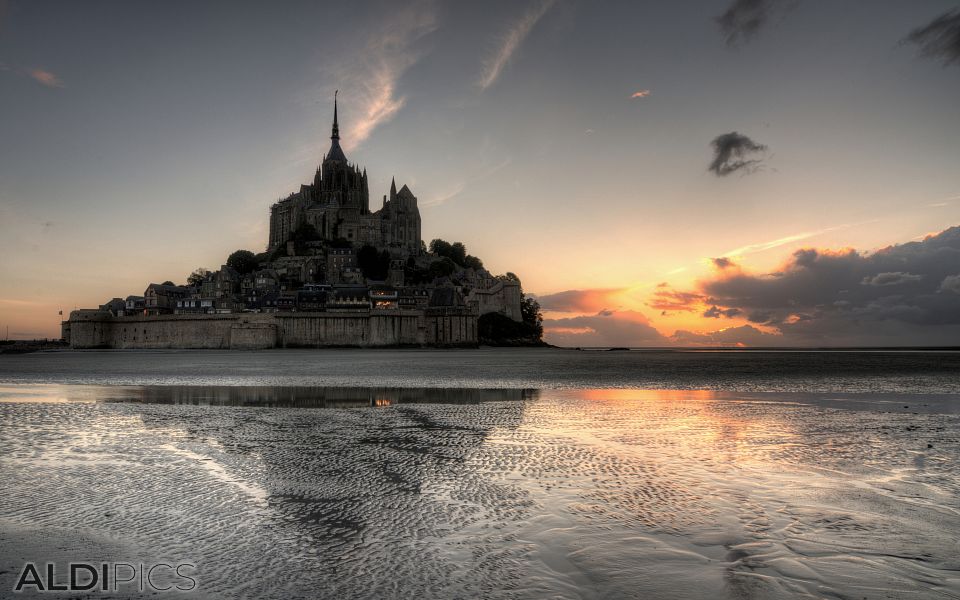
(541, 368)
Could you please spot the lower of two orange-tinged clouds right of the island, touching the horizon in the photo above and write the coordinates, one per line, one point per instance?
(604, 329)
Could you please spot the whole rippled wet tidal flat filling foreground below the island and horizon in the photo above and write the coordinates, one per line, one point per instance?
(535, 477)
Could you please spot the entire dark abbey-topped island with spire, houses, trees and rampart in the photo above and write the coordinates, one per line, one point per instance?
(334, 273)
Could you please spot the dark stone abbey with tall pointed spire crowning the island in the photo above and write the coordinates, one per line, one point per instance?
(337, 206)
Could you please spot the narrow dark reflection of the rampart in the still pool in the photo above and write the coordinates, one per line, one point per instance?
(313, 397)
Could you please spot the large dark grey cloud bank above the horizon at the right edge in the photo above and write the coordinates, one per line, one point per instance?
(906, 294)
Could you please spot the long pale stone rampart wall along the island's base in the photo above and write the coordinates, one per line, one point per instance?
(249, 331)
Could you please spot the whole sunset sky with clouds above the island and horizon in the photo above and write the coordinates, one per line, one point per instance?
(749, 172)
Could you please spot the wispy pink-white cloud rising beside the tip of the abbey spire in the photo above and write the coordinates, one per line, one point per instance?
(368, 76)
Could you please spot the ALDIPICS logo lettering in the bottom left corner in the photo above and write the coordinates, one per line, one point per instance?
(107, 577)
